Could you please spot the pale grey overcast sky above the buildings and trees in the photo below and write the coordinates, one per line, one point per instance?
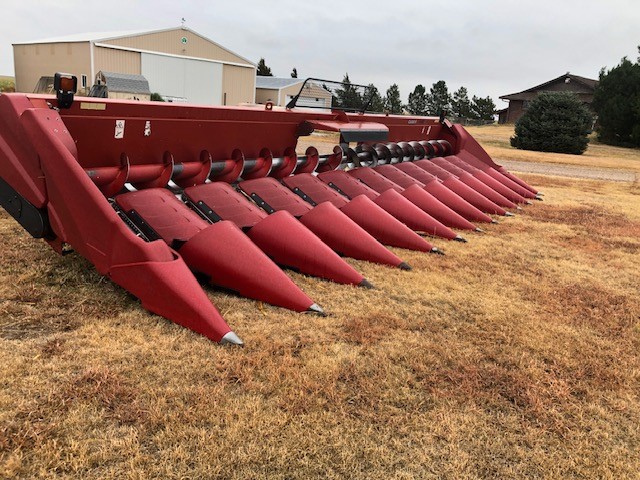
(492, 47)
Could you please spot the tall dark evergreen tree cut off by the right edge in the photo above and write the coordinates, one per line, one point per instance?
(617, 103)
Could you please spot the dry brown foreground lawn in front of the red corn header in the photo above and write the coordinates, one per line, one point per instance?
(515, 355)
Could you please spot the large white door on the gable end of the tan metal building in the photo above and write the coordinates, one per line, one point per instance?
(196, 81)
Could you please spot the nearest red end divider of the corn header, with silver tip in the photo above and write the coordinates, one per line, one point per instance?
(83, 218)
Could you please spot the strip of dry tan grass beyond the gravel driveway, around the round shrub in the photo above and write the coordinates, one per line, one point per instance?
(495, 139)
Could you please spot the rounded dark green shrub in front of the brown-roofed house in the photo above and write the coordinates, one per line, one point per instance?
(554, 122)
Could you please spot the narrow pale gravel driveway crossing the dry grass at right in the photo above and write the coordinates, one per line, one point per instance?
(560, 170)
